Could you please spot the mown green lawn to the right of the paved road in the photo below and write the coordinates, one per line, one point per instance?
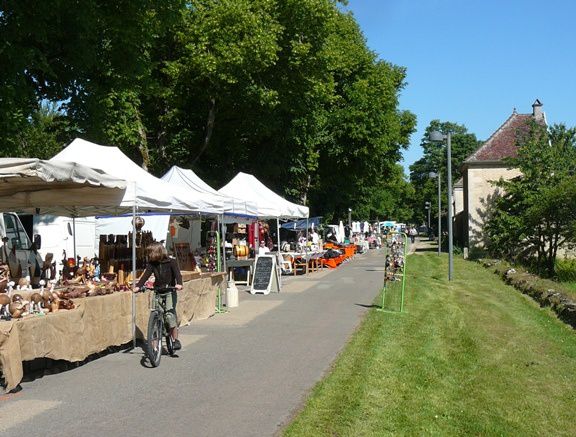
(471, 357)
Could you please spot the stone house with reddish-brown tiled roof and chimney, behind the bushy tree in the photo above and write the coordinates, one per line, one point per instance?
(483, 166)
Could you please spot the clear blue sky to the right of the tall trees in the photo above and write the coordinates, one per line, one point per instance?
(473, 61)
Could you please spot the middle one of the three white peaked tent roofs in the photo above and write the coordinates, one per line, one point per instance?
(189, 180)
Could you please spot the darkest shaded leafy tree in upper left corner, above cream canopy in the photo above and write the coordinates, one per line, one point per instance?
(92, 57)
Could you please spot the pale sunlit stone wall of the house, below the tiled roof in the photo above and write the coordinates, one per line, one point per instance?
(480, 194)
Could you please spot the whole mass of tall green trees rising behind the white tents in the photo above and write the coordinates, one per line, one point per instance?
(284, 89)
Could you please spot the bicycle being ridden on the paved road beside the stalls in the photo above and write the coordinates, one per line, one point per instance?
(158, 327)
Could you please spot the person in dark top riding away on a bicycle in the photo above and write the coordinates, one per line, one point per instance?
(166, 274)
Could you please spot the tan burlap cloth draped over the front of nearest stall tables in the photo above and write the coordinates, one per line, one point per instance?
(95, 324)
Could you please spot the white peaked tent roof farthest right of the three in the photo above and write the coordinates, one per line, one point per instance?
(247, 187)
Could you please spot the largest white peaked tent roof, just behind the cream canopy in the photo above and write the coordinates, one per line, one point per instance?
(145, 190)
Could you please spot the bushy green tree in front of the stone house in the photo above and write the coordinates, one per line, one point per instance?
(536, 212)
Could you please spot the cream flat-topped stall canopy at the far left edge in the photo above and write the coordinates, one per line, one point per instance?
(30, 185)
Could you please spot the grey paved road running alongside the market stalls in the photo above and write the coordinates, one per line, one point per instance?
(243, 373)
